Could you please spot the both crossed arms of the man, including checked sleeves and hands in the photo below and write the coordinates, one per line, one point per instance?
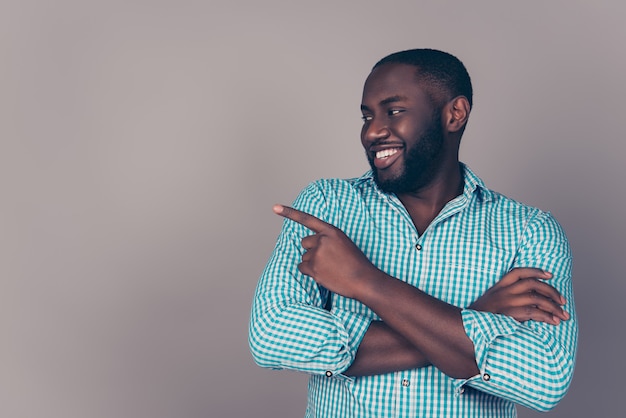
(518, 331)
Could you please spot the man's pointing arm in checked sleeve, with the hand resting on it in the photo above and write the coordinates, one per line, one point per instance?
(531, 362)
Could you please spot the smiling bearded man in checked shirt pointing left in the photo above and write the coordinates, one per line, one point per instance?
(413, 290)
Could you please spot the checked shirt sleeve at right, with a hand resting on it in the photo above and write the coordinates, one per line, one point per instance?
(530, 363)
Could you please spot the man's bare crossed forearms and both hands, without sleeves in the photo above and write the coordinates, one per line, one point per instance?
(416, 329)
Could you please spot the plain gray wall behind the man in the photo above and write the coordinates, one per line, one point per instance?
(142, 144)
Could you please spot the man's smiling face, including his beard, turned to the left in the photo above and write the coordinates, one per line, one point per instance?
(402, 132)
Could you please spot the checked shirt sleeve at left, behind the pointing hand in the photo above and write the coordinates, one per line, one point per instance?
(289, 327)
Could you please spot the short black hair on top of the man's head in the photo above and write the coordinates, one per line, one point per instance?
(441, 71)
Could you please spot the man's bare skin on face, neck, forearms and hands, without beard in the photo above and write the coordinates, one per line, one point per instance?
(416, 329)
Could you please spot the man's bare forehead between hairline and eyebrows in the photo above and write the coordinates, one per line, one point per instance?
(392, 79)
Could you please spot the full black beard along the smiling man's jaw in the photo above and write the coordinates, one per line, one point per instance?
(420, 165)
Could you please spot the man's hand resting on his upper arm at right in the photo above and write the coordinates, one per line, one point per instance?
(523, 294)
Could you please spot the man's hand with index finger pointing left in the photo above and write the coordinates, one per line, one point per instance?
(331, 258)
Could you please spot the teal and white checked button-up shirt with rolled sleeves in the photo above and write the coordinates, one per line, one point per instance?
(476, 239)
